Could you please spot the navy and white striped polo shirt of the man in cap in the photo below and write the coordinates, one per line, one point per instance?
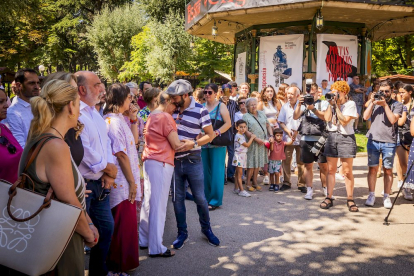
(193, 120)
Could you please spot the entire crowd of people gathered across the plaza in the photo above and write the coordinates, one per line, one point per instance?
(118, 152)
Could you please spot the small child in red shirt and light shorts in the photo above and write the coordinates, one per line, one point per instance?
(277, 154)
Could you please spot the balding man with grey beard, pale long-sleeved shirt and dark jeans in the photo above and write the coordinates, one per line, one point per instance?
(97, 167)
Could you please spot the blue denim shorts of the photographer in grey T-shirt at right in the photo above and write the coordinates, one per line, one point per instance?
(375, 149)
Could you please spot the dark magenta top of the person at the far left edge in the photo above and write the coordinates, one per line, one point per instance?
(9, 162)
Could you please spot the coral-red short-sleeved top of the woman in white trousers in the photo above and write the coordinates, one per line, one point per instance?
(157, 147)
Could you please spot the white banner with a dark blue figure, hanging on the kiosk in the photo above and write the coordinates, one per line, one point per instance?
(281, 60)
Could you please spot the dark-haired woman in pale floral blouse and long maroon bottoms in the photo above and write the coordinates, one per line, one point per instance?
(123, 253)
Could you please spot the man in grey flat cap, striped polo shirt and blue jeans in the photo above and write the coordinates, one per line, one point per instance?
(192, 119)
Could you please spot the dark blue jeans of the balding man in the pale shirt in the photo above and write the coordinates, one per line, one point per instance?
(100, 213)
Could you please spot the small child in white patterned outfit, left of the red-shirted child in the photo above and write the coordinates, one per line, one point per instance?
(240, 156)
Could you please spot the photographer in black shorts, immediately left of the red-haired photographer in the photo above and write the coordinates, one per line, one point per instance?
(312, 129)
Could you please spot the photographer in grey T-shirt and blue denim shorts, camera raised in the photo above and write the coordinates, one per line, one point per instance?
(382, 139)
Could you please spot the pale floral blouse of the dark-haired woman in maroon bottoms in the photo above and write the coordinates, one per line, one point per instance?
(123, 140)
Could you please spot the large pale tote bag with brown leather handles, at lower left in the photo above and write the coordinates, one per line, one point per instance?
(33, 238)
